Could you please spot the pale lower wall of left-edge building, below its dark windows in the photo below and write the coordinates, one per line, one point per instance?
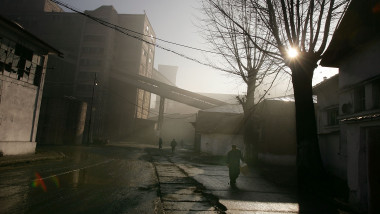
(17, 109)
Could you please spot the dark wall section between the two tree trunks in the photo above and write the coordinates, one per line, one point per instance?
(275, 130)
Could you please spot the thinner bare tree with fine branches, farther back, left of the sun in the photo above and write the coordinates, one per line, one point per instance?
(232, 32)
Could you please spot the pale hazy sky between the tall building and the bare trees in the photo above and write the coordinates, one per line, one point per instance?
(176, 21)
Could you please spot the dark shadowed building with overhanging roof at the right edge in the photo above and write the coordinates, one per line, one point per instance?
(355, 50)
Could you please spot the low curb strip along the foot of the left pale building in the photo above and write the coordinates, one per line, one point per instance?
(23, 159)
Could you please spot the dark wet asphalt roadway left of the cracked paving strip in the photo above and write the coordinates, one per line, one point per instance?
(88, 180)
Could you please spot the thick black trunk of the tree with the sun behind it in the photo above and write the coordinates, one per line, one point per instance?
(309, 162)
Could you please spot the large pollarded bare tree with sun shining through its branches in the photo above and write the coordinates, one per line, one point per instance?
(304, 26)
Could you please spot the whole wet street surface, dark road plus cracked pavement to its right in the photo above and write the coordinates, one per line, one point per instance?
(130, 178)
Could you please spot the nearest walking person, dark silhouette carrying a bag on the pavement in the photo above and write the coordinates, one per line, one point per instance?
(233, 159)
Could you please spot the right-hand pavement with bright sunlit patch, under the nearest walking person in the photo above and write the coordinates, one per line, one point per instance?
(255, 191)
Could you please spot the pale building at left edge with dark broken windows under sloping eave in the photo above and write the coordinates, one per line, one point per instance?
(23, 60)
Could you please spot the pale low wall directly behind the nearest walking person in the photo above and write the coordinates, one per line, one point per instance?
(220, 144)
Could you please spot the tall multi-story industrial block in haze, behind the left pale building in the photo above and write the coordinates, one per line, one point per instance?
(92, 52)
